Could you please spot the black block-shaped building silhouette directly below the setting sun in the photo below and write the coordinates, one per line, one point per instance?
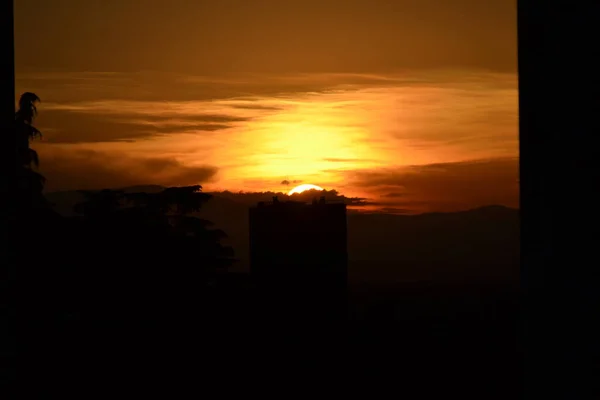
(298, 253)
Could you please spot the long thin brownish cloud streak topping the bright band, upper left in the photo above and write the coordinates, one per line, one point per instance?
(241, 89)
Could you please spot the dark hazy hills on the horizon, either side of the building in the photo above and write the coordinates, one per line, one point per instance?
(384, 249)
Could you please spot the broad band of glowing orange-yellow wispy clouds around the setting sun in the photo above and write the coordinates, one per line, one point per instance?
(358, 133)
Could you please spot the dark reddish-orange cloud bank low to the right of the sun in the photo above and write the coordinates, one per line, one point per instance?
(443, 186)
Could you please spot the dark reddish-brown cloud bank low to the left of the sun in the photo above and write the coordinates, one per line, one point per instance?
(86, 169)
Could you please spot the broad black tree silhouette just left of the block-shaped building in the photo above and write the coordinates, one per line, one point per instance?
(147, 247)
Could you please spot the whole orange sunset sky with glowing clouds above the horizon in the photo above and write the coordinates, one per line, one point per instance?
(411, 104)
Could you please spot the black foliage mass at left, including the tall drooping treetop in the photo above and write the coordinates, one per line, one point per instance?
(125, 255)
